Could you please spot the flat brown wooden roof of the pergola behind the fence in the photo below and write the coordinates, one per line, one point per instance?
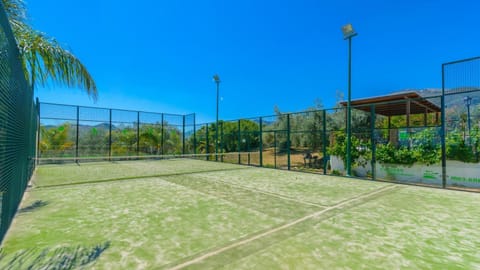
(400, 103)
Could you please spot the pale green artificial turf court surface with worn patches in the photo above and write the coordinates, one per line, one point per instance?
(193, 214)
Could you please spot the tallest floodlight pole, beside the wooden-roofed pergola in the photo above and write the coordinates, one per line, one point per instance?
(349, 33)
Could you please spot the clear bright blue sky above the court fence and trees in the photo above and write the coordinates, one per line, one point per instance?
(160, 55)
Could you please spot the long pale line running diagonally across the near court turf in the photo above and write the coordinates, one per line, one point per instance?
(283, 227)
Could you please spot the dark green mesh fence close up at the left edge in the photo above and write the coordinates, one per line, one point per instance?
(18, 123)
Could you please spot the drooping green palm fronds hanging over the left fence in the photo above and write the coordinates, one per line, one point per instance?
(43, 58)
